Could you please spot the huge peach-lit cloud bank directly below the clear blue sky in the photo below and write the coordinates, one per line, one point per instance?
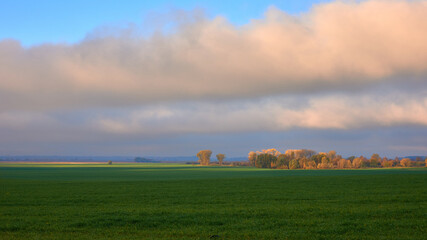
(335, 46)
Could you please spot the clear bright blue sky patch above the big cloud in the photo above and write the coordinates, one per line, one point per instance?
(37, 22)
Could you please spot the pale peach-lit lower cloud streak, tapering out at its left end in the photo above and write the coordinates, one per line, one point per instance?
(325, 112)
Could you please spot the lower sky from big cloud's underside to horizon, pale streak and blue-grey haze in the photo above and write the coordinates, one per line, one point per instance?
(364, 123)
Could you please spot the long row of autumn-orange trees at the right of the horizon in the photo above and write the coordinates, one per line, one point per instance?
(309, 159)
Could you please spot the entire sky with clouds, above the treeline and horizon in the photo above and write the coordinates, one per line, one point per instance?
(170, 78)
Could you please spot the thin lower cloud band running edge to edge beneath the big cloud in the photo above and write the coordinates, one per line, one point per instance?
(273, 114)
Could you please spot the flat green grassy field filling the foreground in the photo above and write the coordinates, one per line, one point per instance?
(171, 201)
